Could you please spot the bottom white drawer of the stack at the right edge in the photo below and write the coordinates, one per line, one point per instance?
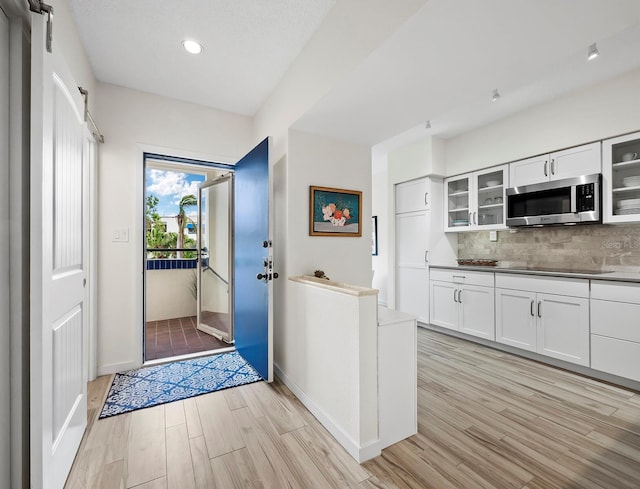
(614, 356)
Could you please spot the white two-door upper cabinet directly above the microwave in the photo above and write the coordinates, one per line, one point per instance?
(572, 162)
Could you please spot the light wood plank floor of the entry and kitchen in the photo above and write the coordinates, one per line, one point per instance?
(487, 419)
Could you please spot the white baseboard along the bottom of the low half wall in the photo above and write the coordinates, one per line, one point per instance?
(360, 454)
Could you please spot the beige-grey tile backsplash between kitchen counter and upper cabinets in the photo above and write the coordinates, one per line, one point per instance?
(598, 246)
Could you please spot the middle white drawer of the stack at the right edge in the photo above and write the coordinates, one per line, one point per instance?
(615, 319)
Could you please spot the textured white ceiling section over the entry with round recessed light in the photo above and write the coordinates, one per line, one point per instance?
(248, 45)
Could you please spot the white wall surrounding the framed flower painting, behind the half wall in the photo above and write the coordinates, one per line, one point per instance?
(315, 160)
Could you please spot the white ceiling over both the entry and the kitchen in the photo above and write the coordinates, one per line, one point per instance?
(441, 65)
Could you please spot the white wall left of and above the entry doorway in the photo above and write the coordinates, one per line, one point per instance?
(131, 122)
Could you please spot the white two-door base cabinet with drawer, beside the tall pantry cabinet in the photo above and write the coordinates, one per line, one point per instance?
(463, 301)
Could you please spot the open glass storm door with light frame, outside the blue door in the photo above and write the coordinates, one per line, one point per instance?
(215, 270)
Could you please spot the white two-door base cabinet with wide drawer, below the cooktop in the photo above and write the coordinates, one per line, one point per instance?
(546, 315)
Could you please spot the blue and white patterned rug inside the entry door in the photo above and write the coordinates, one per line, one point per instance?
(151, 386)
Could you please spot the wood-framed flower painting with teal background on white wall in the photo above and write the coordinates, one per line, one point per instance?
(335, 212)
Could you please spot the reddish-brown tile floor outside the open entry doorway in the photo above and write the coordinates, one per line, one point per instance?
(179, 336)
